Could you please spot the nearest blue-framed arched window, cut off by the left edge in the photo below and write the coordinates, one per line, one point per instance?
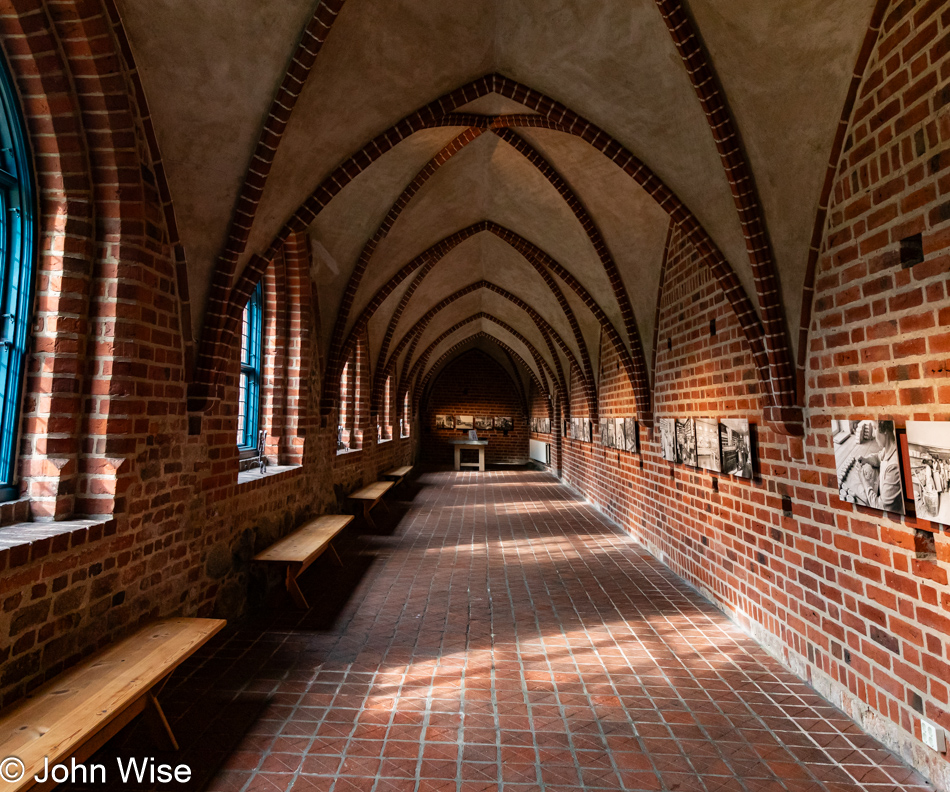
(17, 217)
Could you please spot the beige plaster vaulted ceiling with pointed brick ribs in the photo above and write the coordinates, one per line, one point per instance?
(550, 241)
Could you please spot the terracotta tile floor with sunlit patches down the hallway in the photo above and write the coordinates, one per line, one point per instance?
(503, 635)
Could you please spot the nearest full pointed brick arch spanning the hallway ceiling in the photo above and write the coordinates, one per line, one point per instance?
(770, 349)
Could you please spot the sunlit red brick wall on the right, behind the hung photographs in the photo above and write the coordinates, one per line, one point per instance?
(837, 592)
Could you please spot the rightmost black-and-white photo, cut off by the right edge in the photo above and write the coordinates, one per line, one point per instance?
(928, 445)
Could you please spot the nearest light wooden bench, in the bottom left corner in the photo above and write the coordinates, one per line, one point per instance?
(80, 710)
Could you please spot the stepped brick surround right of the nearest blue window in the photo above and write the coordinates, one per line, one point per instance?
(102, 246)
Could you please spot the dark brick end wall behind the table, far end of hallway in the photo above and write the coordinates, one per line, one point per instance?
(474, 384)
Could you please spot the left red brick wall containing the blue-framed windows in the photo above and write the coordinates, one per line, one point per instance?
(106, 428)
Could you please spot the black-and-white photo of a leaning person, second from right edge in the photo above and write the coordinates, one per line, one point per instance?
(867, 461)
